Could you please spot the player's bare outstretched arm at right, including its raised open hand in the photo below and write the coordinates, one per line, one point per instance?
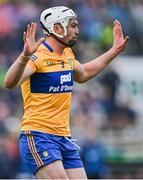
(84, 72)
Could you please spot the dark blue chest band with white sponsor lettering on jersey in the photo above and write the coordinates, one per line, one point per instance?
(52, 82)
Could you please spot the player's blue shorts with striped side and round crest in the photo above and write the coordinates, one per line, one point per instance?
(39, 149)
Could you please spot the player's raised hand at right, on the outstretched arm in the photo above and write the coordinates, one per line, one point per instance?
(120, 41)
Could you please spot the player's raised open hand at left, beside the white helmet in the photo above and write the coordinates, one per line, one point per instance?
(30, 45)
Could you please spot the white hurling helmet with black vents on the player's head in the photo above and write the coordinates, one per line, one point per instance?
(59, 14)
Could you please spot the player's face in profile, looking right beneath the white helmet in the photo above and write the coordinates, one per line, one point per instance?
(72, 32)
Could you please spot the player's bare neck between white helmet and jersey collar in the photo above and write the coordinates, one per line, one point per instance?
(57, 46)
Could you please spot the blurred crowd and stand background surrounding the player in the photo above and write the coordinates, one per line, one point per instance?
(107, 111)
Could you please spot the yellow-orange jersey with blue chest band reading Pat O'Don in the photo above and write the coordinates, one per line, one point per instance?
(47, 93)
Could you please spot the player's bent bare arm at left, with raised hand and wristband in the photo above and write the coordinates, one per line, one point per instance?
(20, 69)
